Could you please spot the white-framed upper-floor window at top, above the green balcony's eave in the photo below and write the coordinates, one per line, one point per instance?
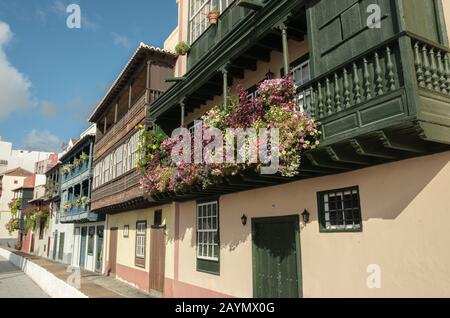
(199, 10)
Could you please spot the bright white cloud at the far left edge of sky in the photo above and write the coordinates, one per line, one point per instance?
(15, 87)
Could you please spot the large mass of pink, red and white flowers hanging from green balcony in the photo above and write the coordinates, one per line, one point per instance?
(273, 109)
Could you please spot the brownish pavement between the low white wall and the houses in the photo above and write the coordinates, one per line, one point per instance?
(93, 285)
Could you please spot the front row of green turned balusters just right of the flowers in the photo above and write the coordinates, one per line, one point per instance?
(361, 80)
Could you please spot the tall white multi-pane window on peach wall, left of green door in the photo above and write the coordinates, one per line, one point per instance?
(207, 233)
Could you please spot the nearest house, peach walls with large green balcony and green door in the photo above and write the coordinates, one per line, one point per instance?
(366, 200)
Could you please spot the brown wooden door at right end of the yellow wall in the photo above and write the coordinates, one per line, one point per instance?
(157, 258)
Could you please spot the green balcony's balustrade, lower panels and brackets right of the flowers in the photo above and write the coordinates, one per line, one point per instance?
(389, 103)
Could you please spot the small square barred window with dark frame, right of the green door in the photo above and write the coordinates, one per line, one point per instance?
(340, 210)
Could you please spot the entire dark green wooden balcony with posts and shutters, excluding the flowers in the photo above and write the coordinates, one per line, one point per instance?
(381, 95)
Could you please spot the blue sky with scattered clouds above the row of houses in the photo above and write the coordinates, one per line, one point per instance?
(51, 77)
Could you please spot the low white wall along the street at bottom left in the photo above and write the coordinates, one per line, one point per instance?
(49, 283)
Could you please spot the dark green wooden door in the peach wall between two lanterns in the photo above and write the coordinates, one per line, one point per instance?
(276, 258)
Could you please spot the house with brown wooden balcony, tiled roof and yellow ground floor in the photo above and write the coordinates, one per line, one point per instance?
(116, 189)
